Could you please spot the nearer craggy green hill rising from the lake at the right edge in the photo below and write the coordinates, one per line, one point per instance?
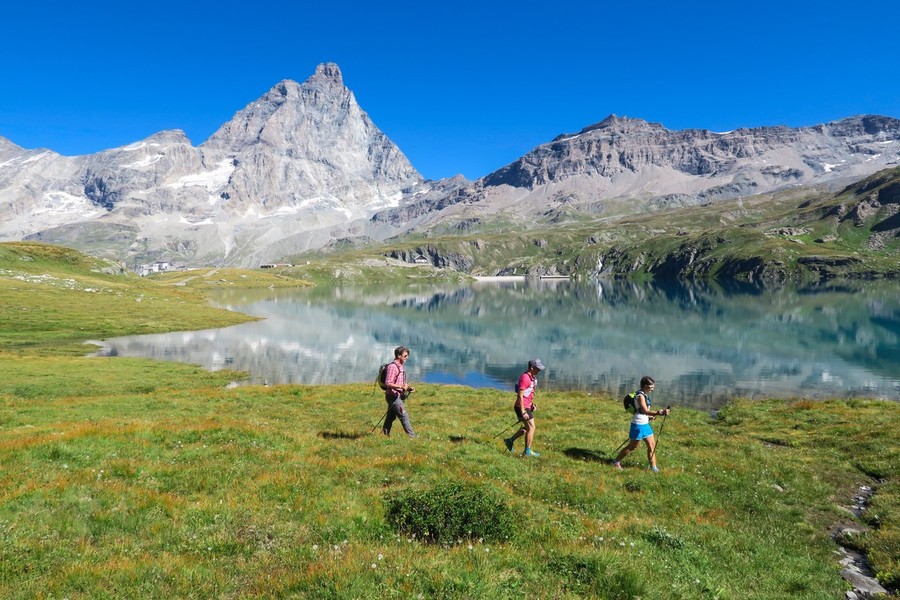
(782, 237)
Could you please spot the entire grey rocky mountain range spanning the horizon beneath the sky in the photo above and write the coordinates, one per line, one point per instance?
(304, 166)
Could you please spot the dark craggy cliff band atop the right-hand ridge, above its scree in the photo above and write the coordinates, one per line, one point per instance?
(620, 147)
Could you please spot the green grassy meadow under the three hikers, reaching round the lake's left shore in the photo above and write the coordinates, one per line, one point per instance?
(124, 478)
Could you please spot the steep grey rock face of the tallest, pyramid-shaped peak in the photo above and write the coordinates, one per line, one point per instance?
(310, 146)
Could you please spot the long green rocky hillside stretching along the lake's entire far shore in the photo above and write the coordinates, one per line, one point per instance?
(799, 235)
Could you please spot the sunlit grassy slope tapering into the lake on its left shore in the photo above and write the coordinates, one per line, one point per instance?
(55, 297)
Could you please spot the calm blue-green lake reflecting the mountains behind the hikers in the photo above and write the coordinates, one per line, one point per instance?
(702, 344)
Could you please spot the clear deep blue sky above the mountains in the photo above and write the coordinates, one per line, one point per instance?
(461, 87)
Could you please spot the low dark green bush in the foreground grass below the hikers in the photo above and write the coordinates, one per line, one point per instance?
(450, 512)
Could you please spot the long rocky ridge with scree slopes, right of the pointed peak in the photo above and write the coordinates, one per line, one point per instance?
(625, 165)
